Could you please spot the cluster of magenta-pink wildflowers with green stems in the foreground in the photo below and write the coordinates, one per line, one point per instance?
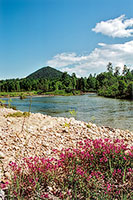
(96, 169)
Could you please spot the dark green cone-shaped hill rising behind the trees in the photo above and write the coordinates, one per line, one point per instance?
(46, 72)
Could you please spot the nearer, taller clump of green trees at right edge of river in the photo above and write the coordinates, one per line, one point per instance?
(116, 85)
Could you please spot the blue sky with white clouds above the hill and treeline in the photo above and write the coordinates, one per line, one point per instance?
(80, 36)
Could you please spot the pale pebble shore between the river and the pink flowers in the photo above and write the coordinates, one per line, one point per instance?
(38, 134)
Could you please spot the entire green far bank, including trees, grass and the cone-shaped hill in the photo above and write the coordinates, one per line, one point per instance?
(51, 81)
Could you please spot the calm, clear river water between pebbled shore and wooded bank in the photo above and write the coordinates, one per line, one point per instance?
(115, 113)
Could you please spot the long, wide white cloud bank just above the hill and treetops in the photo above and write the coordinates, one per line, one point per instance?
(96, 61)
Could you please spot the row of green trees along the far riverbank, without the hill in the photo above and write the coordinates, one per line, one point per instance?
(109, 84)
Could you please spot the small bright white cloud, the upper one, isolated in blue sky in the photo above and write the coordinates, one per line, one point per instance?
(118, 27)
